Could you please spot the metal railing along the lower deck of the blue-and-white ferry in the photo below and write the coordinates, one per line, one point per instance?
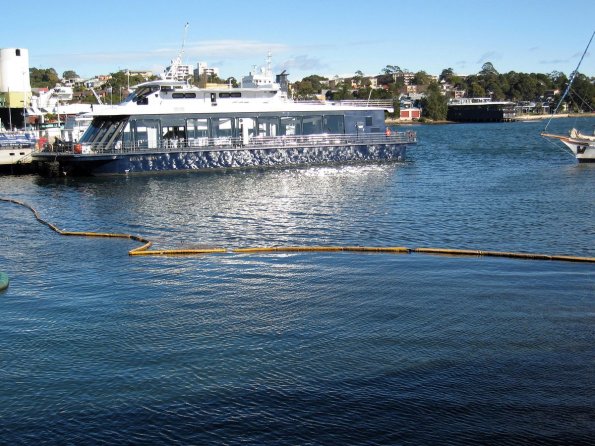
(239, 143)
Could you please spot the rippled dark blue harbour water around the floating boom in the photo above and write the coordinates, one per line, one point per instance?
(98, 347)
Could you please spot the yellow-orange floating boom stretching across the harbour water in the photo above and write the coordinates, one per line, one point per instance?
(145, 251)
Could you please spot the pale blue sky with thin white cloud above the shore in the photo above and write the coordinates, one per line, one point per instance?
(325, 37)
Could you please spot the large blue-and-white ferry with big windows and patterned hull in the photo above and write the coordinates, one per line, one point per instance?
(168, 125)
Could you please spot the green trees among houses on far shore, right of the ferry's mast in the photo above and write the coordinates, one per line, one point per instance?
(512, 86)
